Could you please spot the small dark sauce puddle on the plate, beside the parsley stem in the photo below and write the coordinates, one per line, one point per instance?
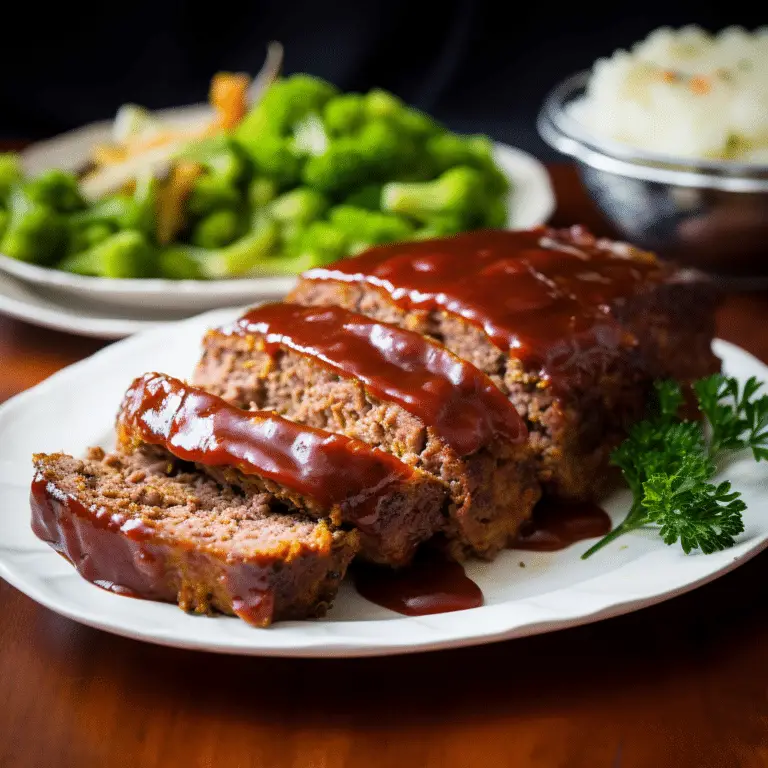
(557, 525)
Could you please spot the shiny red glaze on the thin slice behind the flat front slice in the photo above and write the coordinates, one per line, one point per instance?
(196, 426)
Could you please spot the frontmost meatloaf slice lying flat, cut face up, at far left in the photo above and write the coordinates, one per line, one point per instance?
(161, 531)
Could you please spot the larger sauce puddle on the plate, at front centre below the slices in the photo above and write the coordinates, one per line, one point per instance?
(430, 584)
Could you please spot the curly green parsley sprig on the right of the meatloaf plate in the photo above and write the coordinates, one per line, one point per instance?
(668, 464)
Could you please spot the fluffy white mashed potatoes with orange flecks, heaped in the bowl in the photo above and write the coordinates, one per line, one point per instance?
(685, 93)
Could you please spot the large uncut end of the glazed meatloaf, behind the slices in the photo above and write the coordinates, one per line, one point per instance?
(572, 329)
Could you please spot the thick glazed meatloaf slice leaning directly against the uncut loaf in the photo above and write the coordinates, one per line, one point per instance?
(393, 389)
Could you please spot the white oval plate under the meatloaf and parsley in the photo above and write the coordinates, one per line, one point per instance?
(75, 408)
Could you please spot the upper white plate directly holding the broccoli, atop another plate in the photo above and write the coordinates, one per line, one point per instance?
(531, 202)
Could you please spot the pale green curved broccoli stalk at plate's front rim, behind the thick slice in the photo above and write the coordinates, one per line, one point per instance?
(236, 260)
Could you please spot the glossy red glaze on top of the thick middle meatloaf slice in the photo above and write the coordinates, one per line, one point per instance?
(450, 395)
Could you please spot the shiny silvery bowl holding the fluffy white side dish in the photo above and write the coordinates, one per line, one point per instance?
(704, 213)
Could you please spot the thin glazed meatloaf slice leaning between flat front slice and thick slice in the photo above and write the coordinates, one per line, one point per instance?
(325, 475)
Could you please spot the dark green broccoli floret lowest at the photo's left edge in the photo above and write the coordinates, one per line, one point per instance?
(34, 233)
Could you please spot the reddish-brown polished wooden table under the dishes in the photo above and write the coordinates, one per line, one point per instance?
(681, 684)
